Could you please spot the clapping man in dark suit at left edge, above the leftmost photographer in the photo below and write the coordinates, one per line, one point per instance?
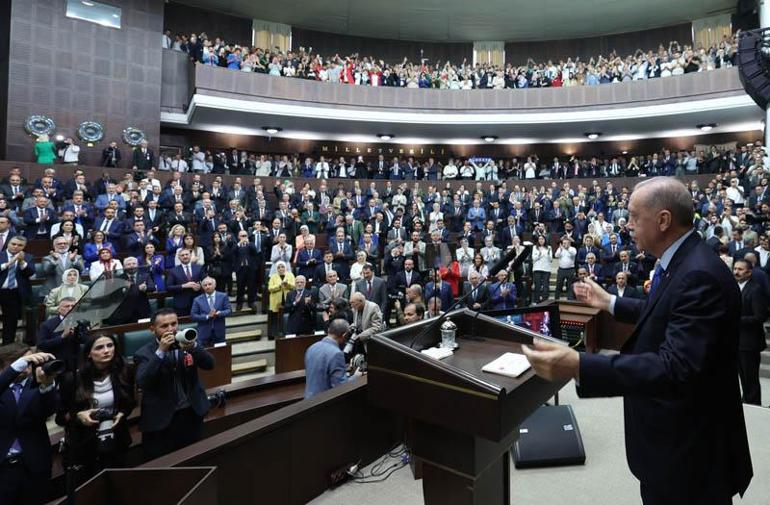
(16, 268)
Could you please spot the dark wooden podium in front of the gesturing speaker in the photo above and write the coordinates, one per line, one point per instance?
(463, 420)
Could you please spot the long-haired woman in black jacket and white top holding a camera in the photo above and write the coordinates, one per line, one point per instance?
(95, 403)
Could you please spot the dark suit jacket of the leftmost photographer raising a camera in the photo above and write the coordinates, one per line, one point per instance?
(26, 420)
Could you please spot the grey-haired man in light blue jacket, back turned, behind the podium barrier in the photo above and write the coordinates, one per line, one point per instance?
(324, 361)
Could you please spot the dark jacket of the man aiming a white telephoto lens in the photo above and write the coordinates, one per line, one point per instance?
(155, 377)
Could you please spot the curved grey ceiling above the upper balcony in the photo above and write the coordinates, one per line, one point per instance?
(461, 20)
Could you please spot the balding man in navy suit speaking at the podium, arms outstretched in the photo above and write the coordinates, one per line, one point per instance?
(685, 433)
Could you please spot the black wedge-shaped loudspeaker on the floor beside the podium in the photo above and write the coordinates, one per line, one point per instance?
(549, 437)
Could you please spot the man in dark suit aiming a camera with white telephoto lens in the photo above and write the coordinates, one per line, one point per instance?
(173, 400)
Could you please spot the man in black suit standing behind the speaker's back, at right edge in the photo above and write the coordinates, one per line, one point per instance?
(751, 341)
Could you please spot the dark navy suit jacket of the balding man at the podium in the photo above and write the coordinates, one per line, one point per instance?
(685, 432)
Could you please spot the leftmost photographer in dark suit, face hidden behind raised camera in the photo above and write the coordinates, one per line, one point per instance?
(27, 400)
